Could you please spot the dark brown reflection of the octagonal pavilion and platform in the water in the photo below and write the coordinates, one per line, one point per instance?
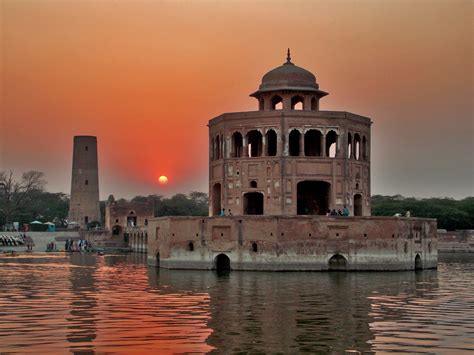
(291, 313)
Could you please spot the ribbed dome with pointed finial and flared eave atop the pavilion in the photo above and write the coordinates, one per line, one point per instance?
(289, 77)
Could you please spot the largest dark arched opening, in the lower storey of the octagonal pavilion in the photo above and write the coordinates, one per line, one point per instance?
(312, 197)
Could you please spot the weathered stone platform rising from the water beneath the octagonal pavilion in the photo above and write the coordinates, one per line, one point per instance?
(293, 243)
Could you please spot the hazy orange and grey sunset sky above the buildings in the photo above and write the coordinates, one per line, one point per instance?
(146, 76)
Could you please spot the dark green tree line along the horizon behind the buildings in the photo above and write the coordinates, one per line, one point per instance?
(24, 200)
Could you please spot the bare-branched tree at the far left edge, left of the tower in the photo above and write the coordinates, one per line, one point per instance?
(15, 194)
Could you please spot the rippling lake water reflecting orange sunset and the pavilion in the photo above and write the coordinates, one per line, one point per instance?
(83, 303)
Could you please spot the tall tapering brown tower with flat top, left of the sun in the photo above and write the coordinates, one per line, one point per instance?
(84, 205)
